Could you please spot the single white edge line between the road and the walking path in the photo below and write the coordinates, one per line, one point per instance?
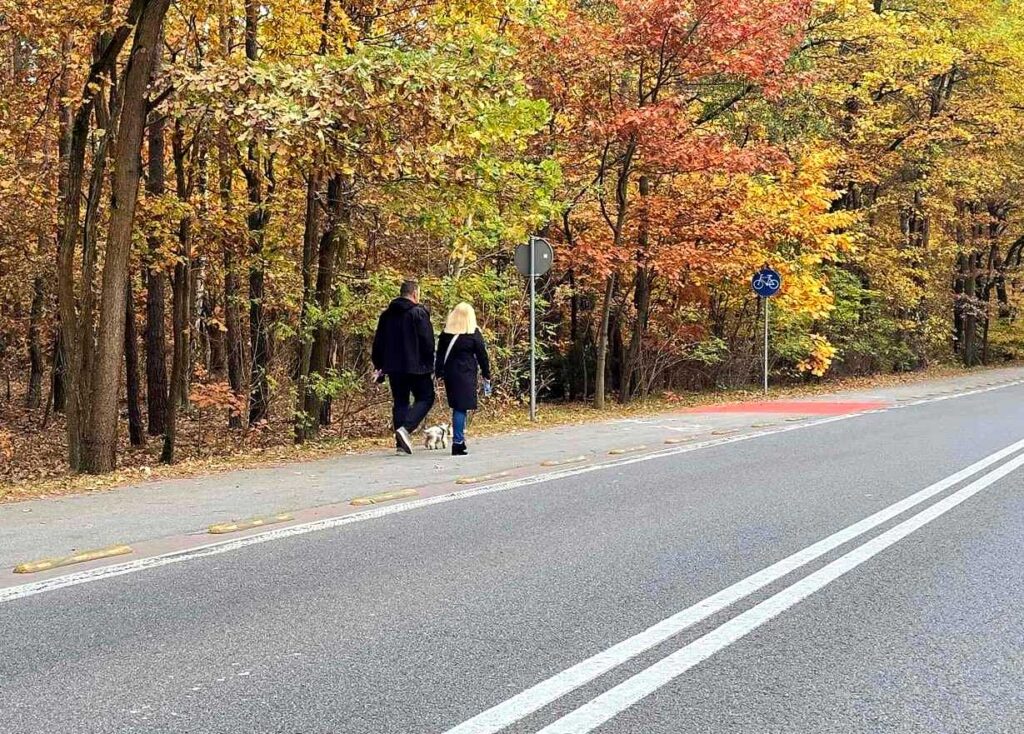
(96, 575)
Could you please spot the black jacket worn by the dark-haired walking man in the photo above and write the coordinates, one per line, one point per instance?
(404, 343)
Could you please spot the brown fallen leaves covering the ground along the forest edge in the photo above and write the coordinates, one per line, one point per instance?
(33, 455)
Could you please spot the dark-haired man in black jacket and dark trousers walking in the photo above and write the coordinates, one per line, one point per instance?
(404, 350)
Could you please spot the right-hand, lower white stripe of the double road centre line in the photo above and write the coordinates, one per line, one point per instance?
(614, 702)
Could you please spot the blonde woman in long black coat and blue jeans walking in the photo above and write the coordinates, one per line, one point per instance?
(461, 353)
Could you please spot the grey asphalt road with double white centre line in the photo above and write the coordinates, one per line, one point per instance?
(475, 616)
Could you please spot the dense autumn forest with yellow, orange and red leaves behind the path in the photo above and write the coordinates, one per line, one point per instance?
(205, 204)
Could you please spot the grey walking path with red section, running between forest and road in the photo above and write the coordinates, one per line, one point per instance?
(159, 510)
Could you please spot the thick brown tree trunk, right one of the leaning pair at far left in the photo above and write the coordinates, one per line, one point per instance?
(100, 443)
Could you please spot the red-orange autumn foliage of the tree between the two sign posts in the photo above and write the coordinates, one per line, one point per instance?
(643, 95)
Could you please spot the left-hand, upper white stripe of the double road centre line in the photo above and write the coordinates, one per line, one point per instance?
(540, 696)
